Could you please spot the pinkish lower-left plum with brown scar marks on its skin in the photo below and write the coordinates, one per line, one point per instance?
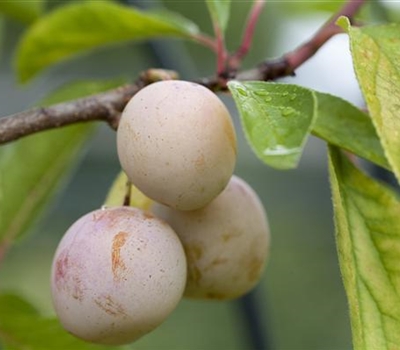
(116, 275)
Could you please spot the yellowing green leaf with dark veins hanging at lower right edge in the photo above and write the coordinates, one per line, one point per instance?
(368, 242)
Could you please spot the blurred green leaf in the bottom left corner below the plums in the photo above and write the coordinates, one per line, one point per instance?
(21, 328)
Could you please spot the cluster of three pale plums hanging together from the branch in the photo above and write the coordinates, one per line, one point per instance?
(118, 272)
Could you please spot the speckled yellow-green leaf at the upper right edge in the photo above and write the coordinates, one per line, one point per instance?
(376, 51)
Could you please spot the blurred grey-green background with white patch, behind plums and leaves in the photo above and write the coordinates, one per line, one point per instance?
(300, 303)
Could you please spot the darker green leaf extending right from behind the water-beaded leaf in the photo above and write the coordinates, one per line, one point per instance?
(344, 125)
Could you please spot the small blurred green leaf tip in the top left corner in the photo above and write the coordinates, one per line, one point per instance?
(22, 11)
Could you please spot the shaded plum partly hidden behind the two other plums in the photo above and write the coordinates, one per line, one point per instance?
(226, 242)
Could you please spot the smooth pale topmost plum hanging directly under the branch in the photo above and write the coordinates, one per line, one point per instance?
(177, 143)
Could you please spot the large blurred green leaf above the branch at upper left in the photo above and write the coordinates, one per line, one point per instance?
(79, 27)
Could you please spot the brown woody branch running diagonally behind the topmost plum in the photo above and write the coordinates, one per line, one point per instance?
(107, 106)
